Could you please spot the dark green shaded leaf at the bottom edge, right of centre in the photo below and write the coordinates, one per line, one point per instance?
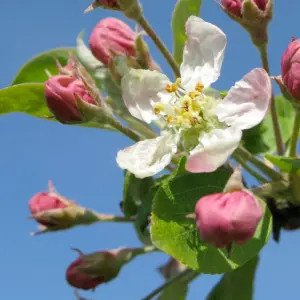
(236, 285)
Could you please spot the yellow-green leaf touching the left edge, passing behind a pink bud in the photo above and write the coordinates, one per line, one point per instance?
(29, 98)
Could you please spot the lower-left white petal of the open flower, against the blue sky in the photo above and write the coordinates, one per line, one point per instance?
(148, 157)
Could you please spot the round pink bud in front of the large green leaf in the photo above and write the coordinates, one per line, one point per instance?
(225, 218)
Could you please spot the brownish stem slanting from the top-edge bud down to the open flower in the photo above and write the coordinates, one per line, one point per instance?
(160, 45)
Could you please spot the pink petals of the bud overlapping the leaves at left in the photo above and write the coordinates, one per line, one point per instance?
(60, 93)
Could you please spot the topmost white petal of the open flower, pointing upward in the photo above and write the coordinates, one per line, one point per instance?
(203, 53)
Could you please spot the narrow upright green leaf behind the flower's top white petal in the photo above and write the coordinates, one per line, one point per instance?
(183, 10)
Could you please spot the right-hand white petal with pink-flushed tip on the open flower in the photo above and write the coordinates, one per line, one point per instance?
(247, 103)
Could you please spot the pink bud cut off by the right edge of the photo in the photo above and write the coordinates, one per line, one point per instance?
(290, 68)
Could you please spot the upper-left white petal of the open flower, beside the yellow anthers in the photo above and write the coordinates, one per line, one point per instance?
(140, 90)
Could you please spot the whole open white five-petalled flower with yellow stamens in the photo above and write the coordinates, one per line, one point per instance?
(206, 127)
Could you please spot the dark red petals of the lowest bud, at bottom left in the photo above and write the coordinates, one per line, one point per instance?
(80, 279)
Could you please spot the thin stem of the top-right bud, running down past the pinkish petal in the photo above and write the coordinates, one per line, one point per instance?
(265, 62)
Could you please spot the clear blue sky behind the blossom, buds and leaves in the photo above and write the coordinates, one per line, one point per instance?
(81, 162)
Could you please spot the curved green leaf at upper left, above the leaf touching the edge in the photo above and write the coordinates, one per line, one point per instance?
(34, 70)
